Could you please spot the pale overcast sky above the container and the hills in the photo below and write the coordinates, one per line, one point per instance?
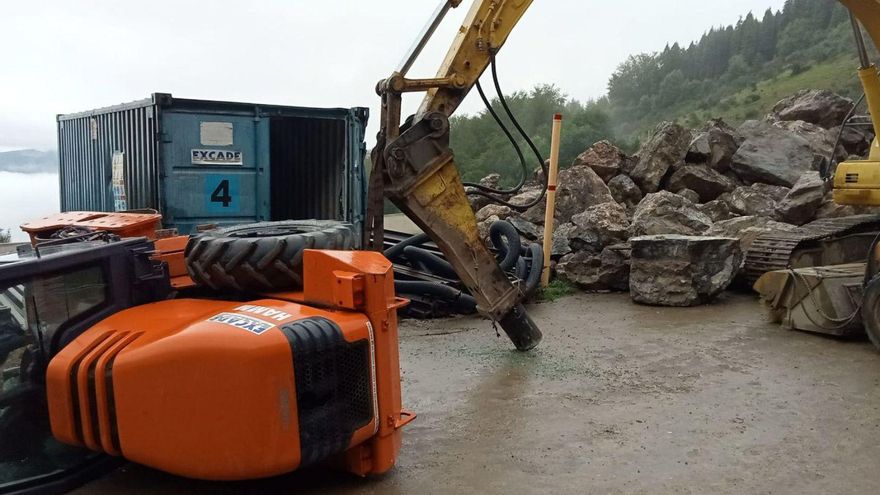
(63, 56)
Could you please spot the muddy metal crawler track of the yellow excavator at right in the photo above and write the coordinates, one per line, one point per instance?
(775, 251)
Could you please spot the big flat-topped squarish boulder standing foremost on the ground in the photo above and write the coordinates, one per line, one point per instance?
(675, 270)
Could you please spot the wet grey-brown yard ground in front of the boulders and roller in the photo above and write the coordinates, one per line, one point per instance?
(618, 398)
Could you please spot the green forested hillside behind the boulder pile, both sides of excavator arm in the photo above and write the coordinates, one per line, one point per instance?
(734, 72)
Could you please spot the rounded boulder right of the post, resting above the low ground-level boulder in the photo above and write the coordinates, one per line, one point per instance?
(599, 226)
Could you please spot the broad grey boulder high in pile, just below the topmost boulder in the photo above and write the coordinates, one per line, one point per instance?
(771, 155)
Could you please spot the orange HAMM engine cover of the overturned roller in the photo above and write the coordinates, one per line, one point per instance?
(225, 390)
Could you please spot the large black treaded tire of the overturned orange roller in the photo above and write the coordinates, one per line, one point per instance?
(261, 256)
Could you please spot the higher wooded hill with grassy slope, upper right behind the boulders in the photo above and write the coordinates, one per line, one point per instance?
(737, 72)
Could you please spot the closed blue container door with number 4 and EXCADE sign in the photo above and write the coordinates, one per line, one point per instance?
(213, 168)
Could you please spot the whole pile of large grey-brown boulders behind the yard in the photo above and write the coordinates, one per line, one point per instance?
(671, 223)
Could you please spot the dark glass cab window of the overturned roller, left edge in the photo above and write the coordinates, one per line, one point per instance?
(29, 312)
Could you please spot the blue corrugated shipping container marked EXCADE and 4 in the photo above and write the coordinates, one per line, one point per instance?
(214, 162)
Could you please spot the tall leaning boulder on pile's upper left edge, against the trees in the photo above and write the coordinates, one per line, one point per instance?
(666, 147)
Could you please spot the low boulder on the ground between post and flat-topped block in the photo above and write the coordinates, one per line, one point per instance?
(608, 270)
